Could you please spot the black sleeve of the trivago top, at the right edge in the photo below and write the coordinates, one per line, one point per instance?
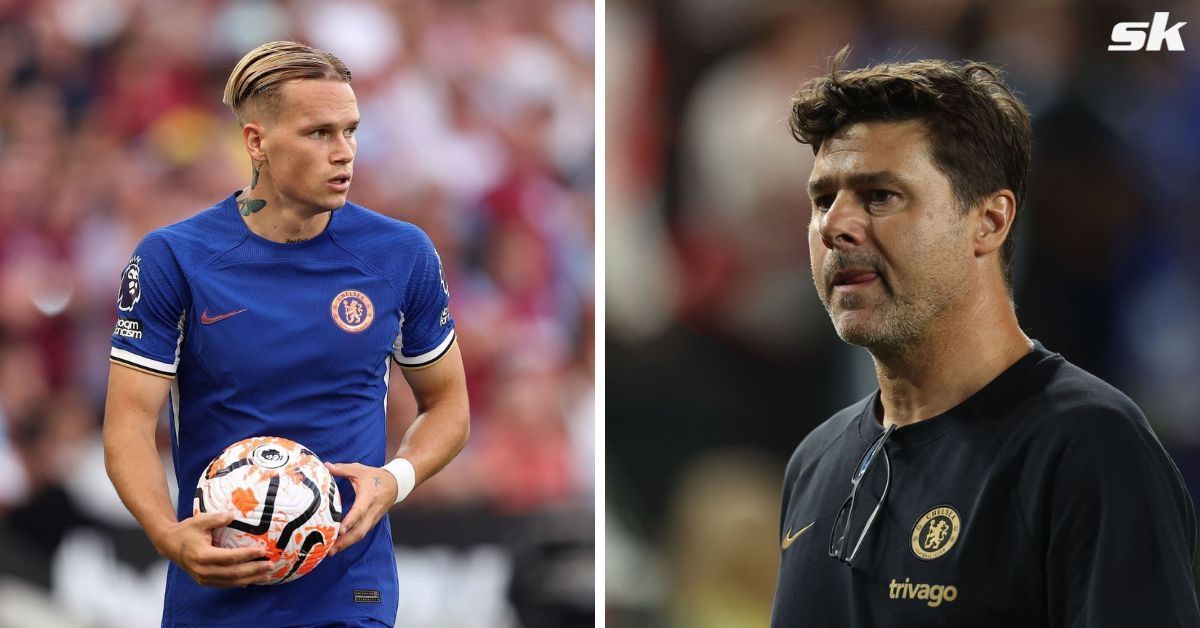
(1123, 530)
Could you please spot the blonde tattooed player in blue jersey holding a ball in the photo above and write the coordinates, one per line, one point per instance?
(279, 312)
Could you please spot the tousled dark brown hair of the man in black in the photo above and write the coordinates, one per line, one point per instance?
(979, 129)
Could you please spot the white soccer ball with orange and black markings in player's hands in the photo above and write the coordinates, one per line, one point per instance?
(284, 499)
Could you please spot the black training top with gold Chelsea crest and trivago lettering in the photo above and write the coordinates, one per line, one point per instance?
(1045, 500)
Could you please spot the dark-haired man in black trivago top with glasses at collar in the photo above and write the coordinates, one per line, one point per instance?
(988, 482)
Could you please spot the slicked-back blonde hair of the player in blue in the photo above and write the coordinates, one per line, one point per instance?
(255, 83)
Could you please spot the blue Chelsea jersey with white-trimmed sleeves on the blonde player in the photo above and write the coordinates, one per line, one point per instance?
(292, 340)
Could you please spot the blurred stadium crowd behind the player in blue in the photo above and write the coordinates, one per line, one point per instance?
(478, 127)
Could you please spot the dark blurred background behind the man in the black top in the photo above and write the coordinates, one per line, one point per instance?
(719, 357)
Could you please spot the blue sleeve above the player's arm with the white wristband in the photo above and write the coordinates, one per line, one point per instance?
(427, 328)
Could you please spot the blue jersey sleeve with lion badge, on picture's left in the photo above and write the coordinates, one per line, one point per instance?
(152, 304)
